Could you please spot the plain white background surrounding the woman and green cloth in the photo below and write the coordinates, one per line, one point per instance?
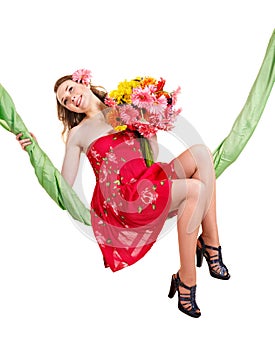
(54, 291)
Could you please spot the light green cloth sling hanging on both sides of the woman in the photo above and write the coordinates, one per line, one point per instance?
(225, 154)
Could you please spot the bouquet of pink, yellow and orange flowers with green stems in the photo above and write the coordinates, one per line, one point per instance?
(143, 105)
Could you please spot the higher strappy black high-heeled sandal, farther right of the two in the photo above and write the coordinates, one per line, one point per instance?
(216, 266)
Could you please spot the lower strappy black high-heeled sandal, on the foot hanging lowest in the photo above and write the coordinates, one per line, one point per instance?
(189, 307)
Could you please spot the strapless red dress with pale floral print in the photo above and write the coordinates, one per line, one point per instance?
(130, 202)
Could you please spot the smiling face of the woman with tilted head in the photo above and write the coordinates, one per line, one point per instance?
(75, 97)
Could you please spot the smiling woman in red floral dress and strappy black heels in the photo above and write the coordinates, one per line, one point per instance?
(131, 201)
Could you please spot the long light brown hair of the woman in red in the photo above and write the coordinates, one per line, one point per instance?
(69, 118)
